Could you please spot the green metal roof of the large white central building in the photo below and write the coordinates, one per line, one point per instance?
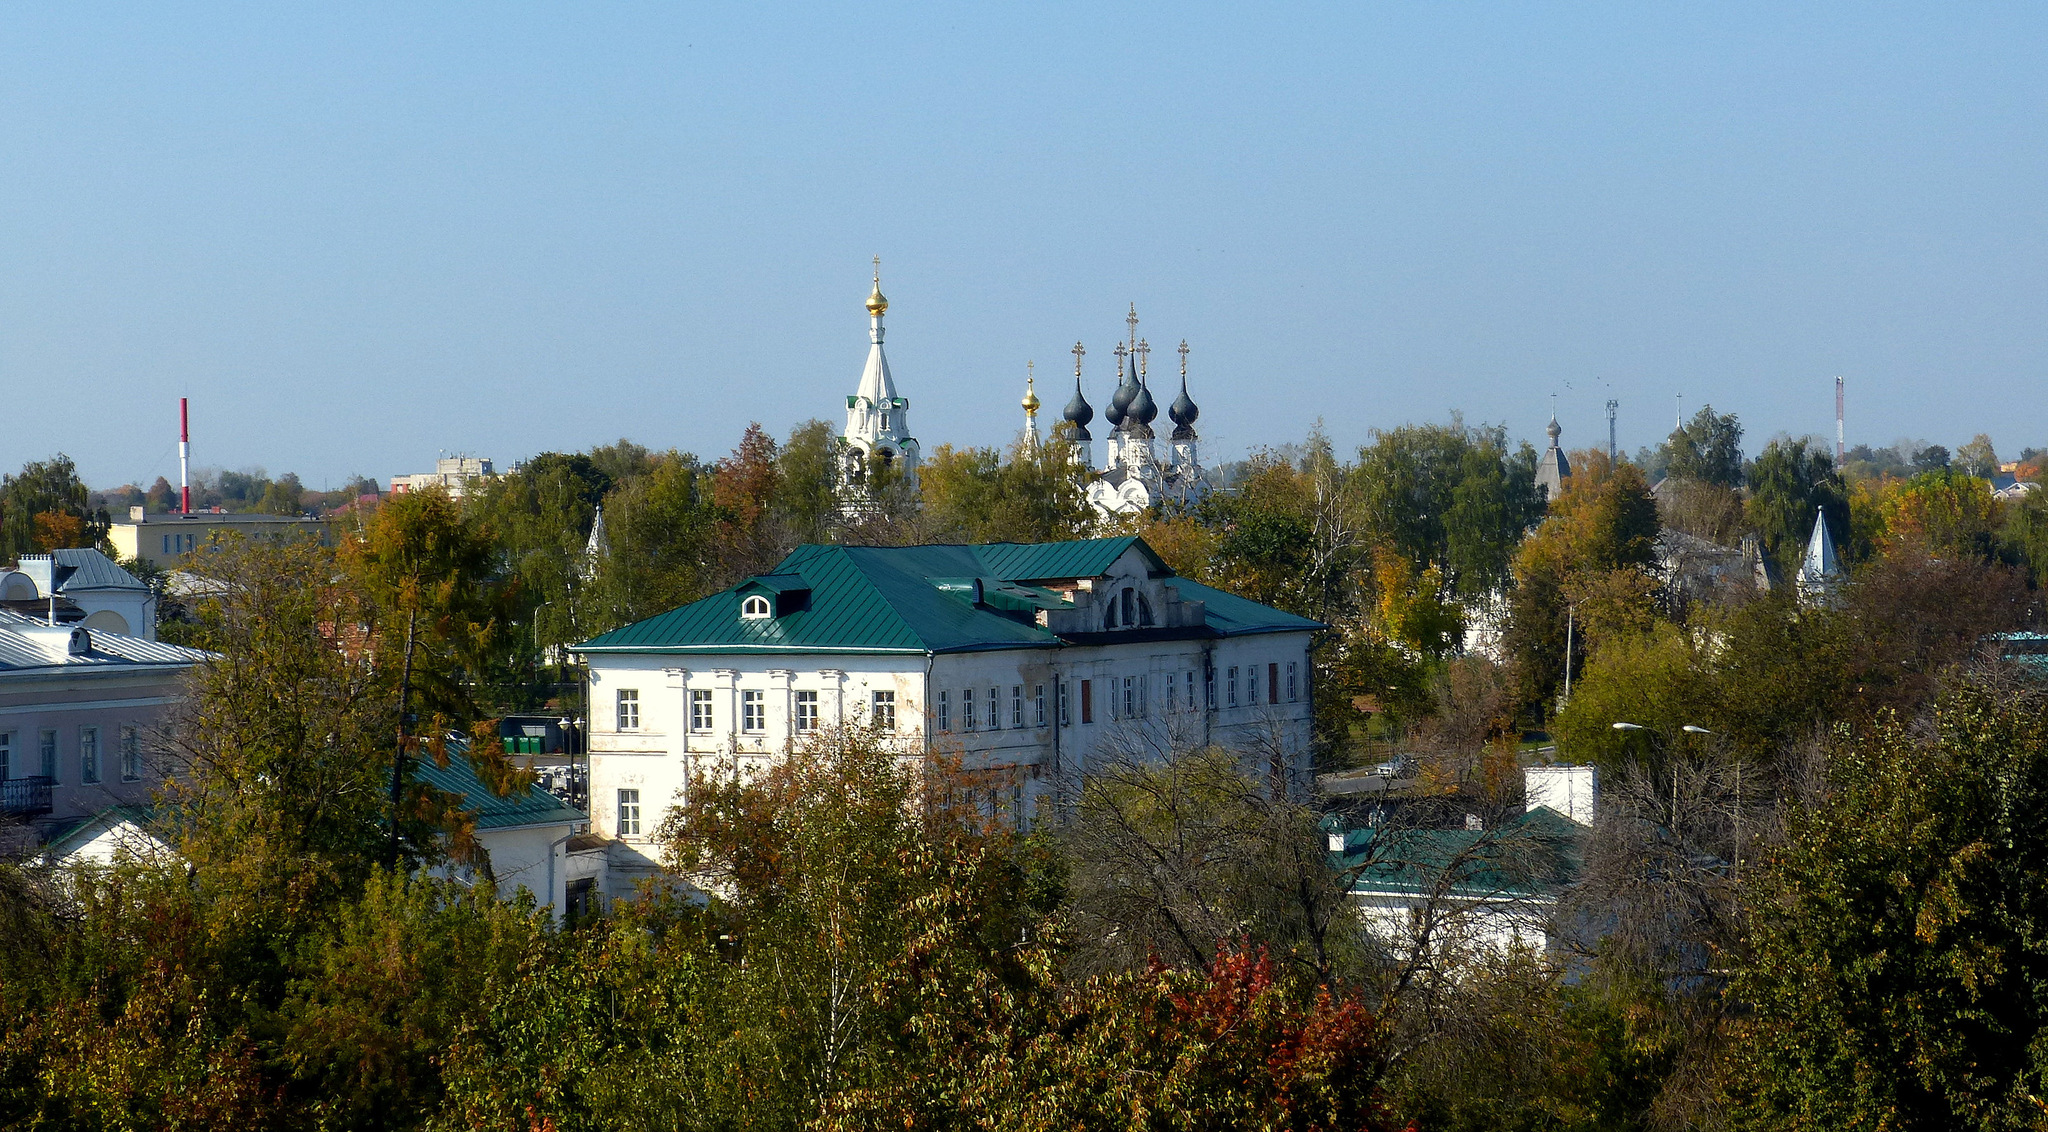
(921, 601)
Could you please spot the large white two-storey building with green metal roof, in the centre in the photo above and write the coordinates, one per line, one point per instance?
(1031, 660)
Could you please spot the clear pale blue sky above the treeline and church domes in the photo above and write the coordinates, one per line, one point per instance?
(359, 238)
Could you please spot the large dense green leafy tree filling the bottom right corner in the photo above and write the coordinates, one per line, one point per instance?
(1893, 977)
